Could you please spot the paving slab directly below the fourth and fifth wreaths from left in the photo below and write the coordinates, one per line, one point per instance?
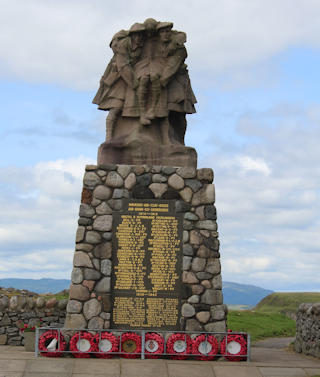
(143, 368)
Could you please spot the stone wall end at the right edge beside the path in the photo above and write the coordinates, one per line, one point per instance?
(308, 329)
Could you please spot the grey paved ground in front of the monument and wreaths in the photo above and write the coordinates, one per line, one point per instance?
(266, 362)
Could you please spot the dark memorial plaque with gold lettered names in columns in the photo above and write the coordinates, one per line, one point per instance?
(147, 261)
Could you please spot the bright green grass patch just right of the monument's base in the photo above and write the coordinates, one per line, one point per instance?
(261, 325)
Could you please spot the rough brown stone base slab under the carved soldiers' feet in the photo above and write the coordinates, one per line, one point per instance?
(139, 153)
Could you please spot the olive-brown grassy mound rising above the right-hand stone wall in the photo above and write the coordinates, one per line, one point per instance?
(281, 302)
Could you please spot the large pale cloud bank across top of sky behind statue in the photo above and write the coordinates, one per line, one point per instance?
(67, 42)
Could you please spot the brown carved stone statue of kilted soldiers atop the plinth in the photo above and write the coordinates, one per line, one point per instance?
(147, 91)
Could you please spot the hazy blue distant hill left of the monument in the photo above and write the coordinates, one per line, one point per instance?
(43, 285)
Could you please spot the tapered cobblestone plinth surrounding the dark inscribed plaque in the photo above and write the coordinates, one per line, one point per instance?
(104, 192)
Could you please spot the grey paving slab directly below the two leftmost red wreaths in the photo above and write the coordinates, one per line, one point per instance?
(47, 365)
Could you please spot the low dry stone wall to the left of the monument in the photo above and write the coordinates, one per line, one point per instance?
(29, 310)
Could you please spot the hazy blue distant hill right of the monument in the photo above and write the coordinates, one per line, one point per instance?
(243, 294)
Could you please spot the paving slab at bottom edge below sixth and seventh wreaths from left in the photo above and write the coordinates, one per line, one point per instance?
(183, 369)
